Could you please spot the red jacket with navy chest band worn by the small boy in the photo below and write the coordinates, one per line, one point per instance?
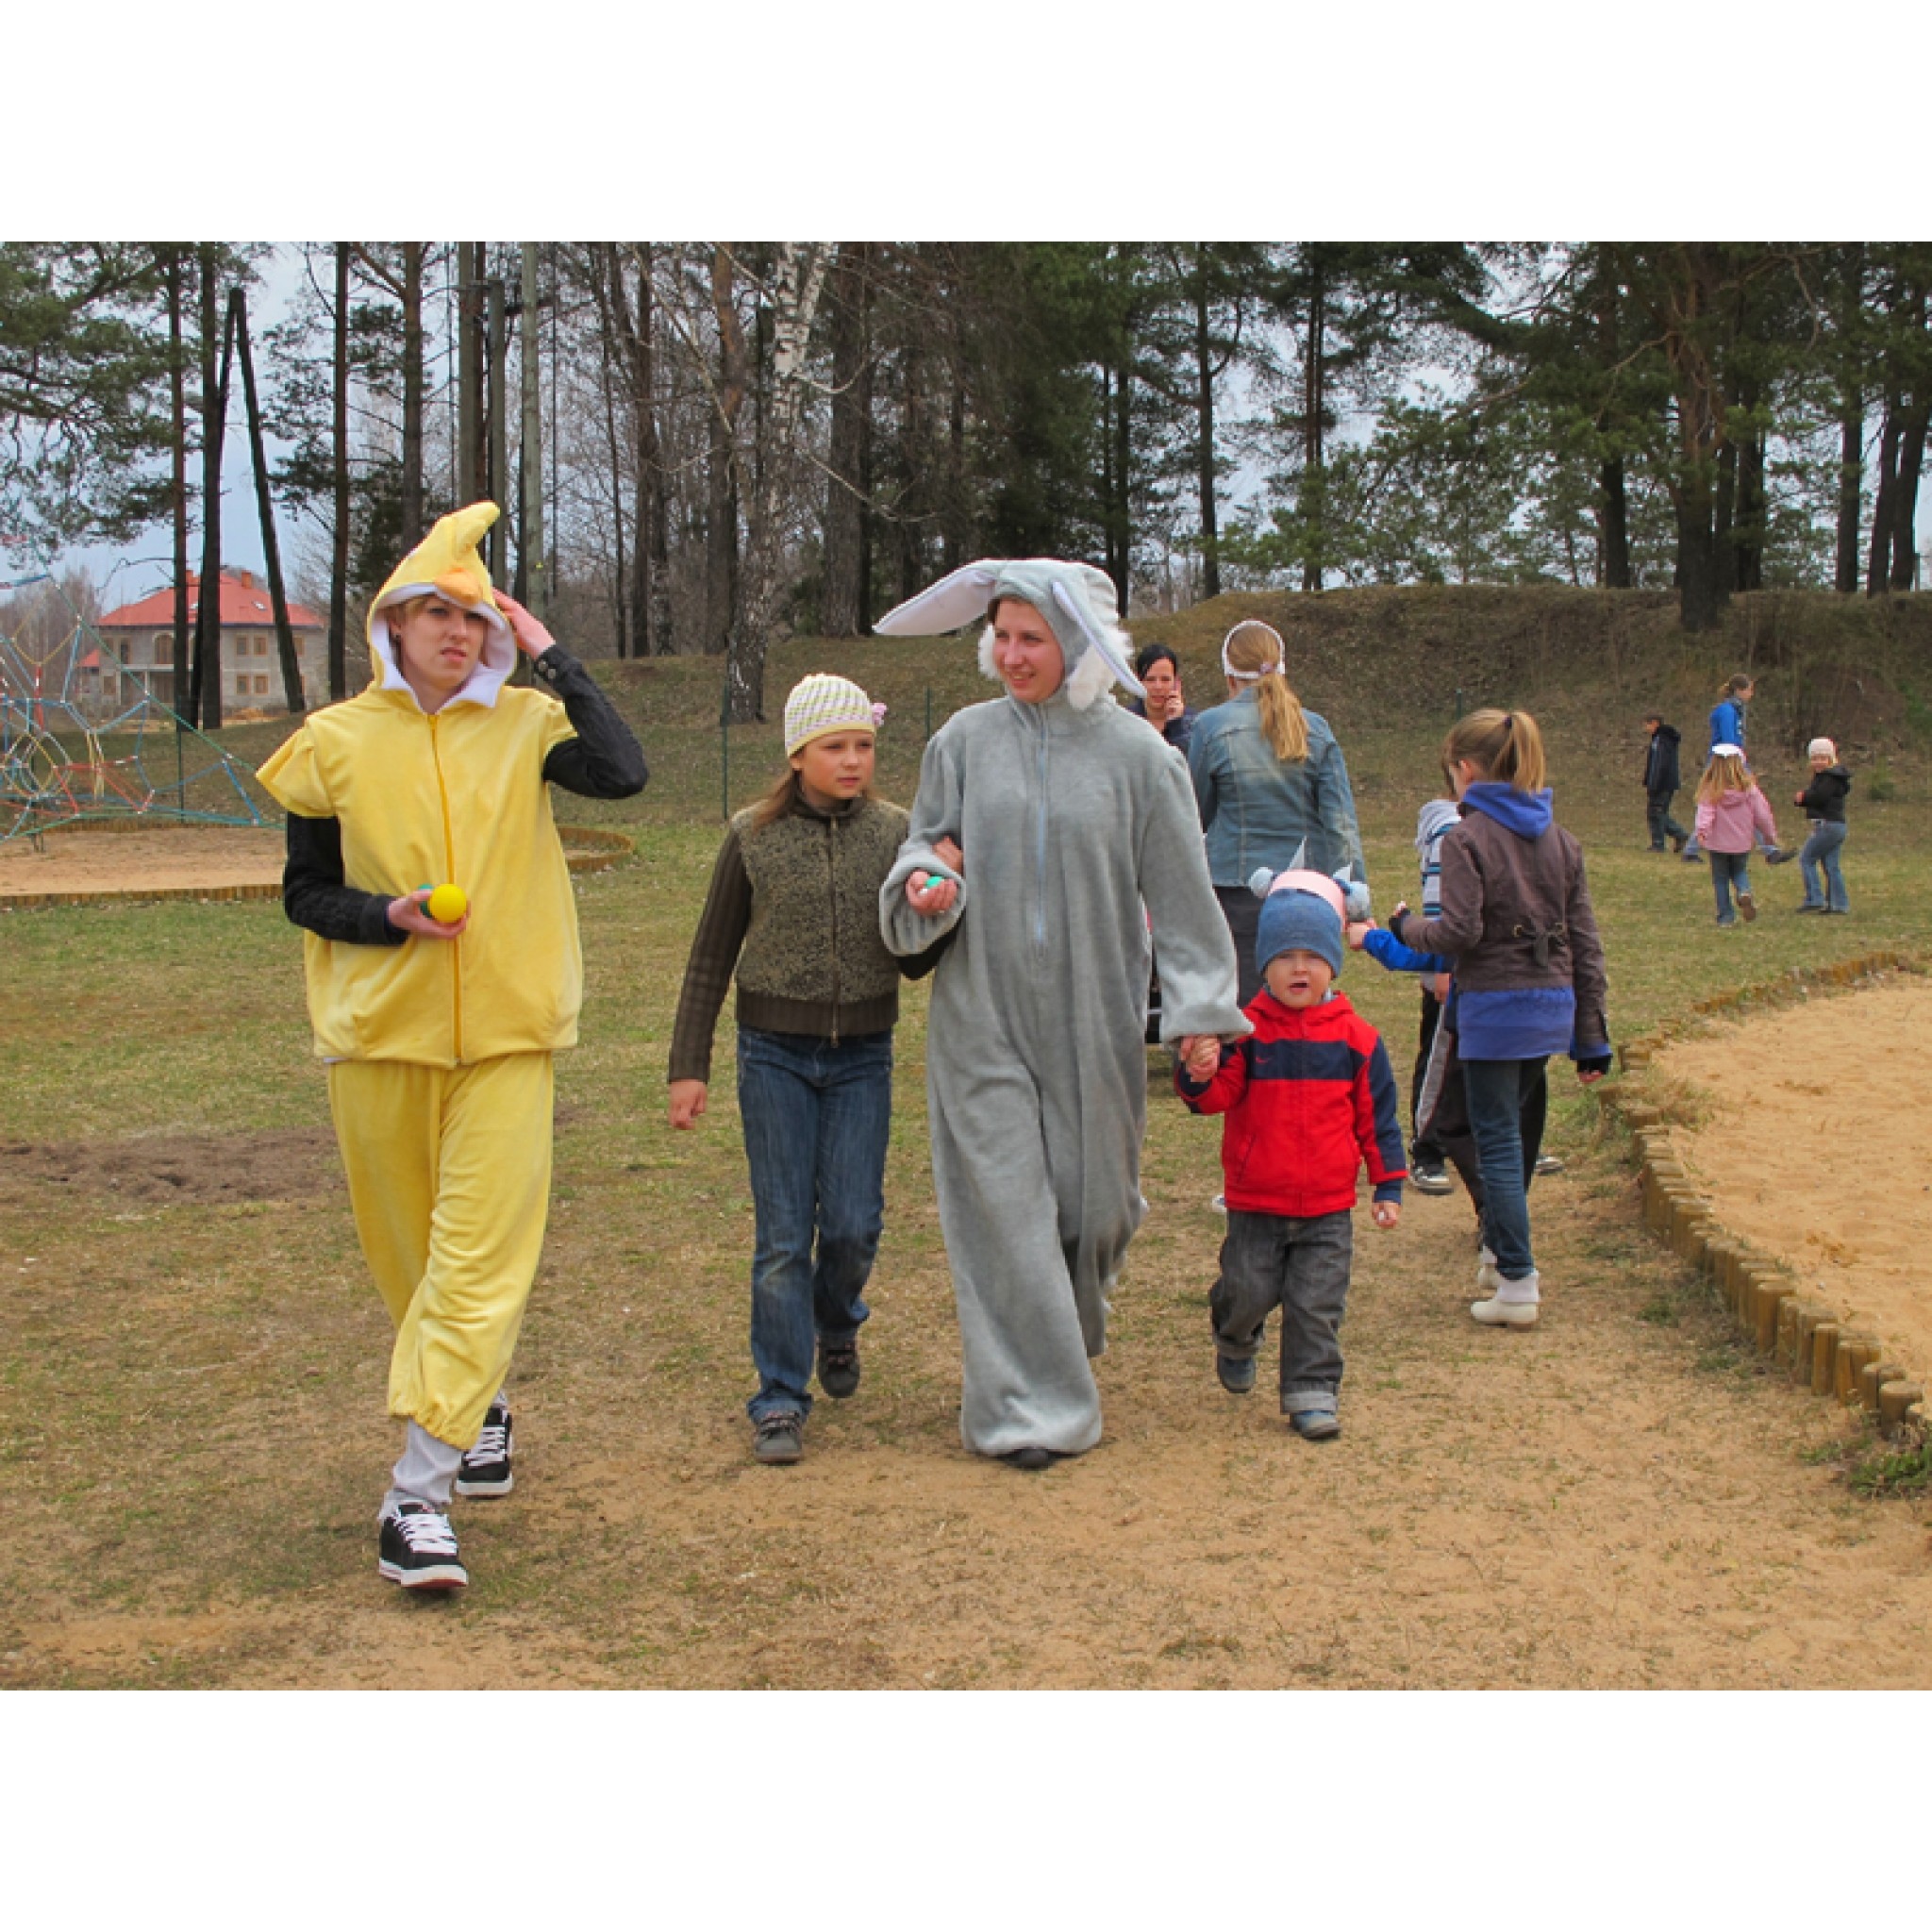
(1309, 1098)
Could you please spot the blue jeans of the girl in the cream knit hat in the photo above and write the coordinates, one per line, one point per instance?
(816, 1123)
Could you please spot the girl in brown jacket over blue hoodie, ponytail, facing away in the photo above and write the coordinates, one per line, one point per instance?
(1529, 971)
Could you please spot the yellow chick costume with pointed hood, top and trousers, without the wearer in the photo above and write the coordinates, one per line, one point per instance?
(440, 1052)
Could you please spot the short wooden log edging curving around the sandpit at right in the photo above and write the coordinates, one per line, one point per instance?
(1807, 1338)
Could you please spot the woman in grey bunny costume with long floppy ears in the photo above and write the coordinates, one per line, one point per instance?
(1075, 830)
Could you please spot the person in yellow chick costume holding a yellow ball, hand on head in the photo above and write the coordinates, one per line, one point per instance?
(440, 1035)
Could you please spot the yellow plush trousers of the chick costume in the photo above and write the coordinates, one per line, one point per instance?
(451, 1185)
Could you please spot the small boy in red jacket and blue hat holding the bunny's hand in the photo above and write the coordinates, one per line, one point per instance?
(1309, 1098)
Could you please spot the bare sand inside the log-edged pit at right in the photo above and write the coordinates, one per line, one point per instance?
(1815, 1143)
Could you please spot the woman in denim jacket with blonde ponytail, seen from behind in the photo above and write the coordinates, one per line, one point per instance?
(1270, 783)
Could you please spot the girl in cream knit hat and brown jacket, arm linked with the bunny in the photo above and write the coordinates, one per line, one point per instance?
(795, 913)
